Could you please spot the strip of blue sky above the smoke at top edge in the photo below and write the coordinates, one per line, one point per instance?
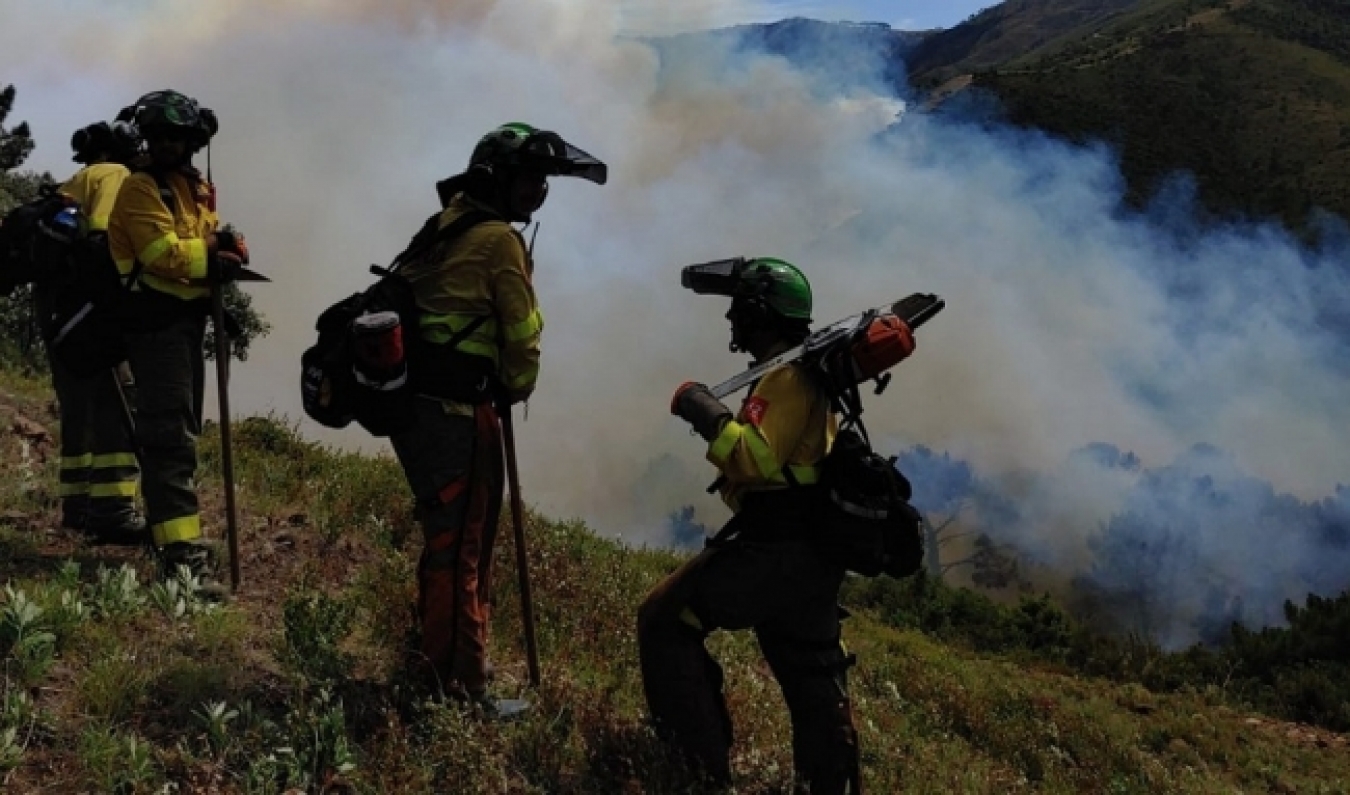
(657, 17)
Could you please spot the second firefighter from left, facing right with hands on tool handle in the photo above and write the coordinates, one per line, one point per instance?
(165, 241)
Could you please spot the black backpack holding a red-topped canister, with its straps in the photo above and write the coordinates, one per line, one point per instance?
(365, 364)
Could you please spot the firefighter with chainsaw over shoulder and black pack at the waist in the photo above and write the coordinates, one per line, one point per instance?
(778, 565)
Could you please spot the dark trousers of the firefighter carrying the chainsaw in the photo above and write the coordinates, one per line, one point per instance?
(788, 595)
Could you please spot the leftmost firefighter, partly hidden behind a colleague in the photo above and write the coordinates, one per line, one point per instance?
(99, 472)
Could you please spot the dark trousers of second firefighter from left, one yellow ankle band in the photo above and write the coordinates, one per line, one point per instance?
(169, 369)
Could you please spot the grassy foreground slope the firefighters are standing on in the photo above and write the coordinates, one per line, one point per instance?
(118, 696)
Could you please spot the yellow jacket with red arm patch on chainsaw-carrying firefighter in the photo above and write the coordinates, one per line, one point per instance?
(786, 422)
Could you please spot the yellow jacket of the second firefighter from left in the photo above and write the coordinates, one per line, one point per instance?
(171, 242)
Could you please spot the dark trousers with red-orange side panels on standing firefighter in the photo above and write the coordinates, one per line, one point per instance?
(454, 466)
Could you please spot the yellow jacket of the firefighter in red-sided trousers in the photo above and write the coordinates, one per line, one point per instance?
(487, 272)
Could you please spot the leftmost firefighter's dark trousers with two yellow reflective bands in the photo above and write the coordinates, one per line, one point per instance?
(98, 465)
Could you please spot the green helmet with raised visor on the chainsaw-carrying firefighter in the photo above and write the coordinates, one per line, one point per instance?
(777, 284)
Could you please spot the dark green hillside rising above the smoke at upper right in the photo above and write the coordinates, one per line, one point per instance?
(1253, 97)
